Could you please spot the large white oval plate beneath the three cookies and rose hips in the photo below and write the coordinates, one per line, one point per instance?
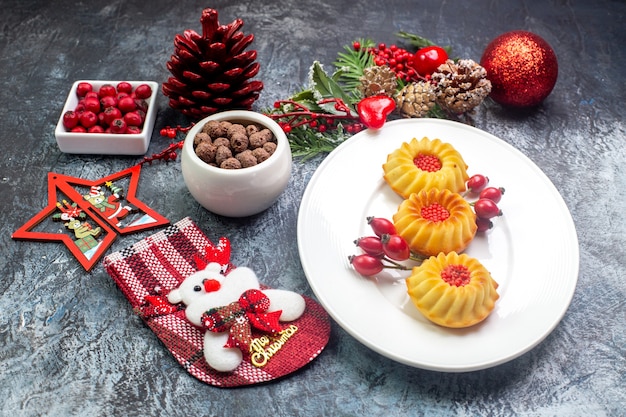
(532, 251)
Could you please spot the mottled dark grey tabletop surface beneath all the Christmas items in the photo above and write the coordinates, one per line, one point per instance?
(69, 342)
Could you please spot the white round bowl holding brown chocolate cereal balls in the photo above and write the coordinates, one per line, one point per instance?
(237, 192)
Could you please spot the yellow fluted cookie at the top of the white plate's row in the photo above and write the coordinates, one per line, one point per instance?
(424, 164)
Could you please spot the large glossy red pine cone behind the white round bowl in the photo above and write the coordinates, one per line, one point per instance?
(211, 72)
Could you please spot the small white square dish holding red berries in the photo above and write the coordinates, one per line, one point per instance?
(107, 143)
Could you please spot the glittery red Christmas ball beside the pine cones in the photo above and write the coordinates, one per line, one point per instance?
(522, 68)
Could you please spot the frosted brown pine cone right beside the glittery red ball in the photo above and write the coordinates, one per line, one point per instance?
(461, 86)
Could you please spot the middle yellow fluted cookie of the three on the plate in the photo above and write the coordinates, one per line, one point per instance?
(435, 221)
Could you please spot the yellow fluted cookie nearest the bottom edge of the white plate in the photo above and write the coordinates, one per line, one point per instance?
(453, 290)
